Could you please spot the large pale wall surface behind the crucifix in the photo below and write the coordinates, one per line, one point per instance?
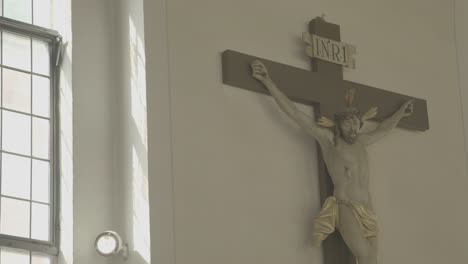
(242, 178)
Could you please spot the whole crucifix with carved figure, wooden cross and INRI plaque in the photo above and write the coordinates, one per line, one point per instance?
(342, 155)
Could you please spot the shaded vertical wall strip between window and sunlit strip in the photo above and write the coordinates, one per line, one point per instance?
(92, 127)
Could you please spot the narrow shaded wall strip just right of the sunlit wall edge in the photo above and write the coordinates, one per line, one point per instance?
(160, 165)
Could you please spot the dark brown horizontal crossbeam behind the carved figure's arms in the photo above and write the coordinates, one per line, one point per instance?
(314, 87)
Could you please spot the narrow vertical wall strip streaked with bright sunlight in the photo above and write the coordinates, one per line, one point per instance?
(131, 208)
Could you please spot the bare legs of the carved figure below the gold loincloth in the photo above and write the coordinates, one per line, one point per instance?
(364, 249)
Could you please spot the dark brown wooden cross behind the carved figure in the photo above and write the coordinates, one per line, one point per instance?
(324, 88)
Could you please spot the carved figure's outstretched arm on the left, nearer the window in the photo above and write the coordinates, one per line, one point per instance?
(322, 135)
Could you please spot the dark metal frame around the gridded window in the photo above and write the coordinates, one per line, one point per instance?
(54, 40)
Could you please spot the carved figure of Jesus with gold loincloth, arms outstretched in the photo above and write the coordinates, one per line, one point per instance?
(349, 210)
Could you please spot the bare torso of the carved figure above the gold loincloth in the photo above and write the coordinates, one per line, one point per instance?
(348, 167)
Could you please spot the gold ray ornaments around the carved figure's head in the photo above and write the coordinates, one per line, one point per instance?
(350, 111)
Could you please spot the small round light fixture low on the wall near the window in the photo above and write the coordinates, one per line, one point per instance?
(109, 243)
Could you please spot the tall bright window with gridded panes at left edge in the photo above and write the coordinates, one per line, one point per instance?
(28, 122)
